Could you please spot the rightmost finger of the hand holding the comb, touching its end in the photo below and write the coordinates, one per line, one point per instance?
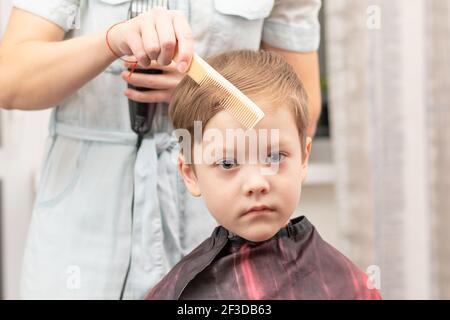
(185, 41)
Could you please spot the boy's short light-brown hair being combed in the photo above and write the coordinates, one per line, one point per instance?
(258, 74)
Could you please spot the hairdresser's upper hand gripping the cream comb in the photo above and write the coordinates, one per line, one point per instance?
(155, 35)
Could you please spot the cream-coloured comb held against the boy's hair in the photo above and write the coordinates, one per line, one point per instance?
(238, 104)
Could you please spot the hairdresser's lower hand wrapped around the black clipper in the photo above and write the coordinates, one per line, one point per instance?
(162, 85)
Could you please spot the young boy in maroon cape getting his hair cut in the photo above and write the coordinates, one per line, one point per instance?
(256, 252)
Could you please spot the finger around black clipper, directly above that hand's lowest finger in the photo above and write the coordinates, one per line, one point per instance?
(154, 81)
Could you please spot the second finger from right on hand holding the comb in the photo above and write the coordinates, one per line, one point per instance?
(166, 35)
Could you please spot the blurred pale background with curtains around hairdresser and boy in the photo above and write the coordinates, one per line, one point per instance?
(379, 176)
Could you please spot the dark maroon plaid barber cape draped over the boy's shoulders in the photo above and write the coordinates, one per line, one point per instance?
(294, 264)
